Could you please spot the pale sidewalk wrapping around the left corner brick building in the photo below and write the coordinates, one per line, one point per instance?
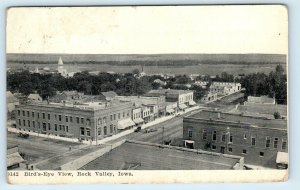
(102, 141)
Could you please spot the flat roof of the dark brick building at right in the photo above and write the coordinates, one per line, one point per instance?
(238, 118)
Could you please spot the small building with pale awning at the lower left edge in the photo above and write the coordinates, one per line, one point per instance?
(13, 157)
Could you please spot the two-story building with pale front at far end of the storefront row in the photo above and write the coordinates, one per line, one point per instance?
(183, 97)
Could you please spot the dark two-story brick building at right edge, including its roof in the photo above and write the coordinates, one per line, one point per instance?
(257, 139)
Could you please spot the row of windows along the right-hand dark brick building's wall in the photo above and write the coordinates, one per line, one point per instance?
(253, 139)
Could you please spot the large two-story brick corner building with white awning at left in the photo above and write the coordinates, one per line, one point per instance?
(88, 121)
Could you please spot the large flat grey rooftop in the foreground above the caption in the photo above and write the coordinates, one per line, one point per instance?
(132, 155)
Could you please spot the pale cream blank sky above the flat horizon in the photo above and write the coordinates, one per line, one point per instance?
(148, 30)
